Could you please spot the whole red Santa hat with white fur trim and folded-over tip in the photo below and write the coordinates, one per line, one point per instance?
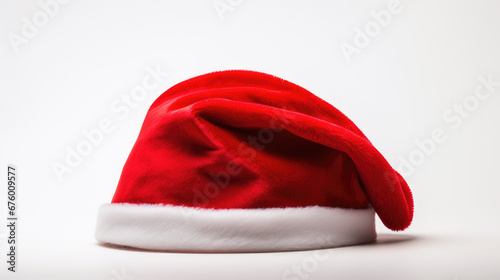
(244, 161)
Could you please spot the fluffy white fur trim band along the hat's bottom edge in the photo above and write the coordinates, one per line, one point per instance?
(176, 228)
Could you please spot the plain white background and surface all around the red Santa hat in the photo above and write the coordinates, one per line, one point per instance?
(75, 67)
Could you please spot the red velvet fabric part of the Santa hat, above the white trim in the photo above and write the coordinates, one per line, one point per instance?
(243, 139)
